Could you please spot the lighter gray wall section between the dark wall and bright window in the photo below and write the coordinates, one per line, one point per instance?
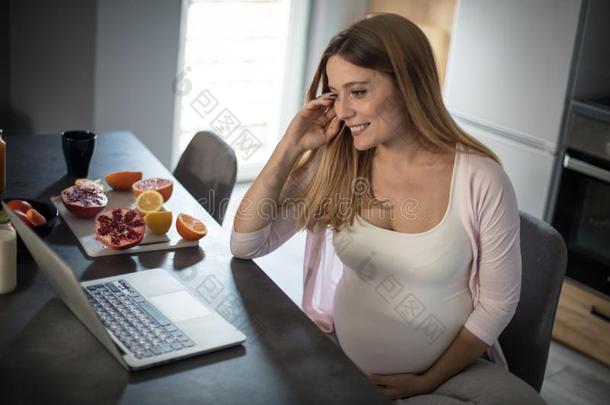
(136, 62)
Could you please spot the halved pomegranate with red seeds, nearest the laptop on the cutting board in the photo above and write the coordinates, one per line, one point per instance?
(119, 228)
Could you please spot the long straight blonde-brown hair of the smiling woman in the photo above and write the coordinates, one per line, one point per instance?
(395, 46)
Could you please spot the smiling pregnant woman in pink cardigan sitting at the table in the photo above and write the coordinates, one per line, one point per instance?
(412, 255)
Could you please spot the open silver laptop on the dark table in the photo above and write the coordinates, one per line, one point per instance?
(143, 319)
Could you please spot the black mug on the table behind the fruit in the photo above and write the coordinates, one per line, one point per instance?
(78, 148)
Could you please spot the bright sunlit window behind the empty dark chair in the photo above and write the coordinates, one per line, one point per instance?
(238, 57)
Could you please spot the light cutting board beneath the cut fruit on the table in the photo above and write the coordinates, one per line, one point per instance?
(84, 228)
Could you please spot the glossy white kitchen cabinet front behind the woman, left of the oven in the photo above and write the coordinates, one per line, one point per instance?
(507, 82)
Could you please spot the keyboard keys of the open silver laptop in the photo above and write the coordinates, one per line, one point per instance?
(138, 325)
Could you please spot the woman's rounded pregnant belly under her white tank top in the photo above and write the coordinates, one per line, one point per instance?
(403, 334)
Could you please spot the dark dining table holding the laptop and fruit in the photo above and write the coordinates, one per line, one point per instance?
(48, 356)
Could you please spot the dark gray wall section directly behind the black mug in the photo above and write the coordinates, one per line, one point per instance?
(51, 65)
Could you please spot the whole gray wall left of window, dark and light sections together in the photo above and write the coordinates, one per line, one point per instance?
(87, 64)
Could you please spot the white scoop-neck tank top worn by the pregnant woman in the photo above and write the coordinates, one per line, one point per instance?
(403, 297)
